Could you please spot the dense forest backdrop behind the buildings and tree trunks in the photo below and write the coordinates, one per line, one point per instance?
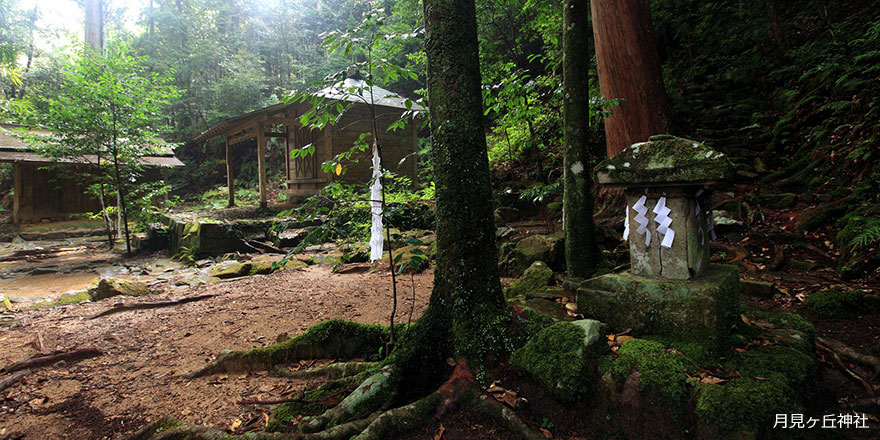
(798, 79)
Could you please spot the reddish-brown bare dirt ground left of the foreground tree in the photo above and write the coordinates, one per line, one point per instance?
(137, 380)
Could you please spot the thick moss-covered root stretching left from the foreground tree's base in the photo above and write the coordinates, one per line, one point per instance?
(334, 339)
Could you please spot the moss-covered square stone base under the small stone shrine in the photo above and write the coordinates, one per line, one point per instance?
(705, 309)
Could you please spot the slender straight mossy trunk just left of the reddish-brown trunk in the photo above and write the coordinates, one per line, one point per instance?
(581, 249)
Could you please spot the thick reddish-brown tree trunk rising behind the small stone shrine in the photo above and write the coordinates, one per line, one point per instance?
(629, 68)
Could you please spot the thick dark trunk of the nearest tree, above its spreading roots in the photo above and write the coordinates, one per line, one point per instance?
(467, 295)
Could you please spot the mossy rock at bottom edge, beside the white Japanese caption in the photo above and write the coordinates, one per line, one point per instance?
(743, 407)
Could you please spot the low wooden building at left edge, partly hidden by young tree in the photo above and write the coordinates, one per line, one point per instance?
(41, 193)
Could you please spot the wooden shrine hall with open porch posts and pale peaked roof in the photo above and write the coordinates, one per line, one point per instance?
(303, 175)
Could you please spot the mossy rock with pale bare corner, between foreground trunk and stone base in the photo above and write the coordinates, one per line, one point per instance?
(562, 355)
